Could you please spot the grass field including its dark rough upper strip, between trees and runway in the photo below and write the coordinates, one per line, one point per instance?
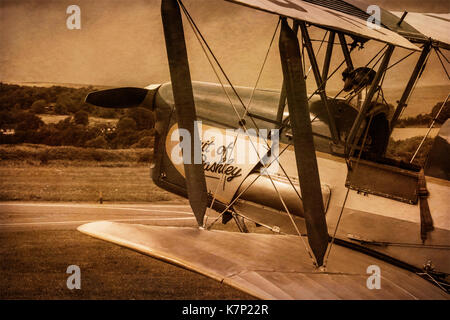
(36, 172)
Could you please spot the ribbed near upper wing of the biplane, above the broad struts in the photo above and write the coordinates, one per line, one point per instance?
(335, 15)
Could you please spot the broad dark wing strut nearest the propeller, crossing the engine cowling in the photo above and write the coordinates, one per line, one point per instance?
(184, 105)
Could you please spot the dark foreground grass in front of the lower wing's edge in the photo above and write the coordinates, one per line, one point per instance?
(34, 263)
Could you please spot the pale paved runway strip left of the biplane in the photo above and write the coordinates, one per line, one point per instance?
(17, 216)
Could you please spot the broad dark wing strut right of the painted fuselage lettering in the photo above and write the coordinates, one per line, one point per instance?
(305, 155)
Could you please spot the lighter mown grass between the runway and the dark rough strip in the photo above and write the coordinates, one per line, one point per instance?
(28, 182)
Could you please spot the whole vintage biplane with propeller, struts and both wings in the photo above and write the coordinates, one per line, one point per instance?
(310, 168)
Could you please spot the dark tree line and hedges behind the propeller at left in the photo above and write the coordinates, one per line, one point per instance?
(20, 107)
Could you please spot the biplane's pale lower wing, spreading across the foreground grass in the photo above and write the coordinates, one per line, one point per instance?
(266, 266)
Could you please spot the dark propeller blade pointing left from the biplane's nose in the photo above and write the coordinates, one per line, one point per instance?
(117, 98)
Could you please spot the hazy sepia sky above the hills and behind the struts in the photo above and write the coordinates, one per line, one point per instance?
(121, 43)
